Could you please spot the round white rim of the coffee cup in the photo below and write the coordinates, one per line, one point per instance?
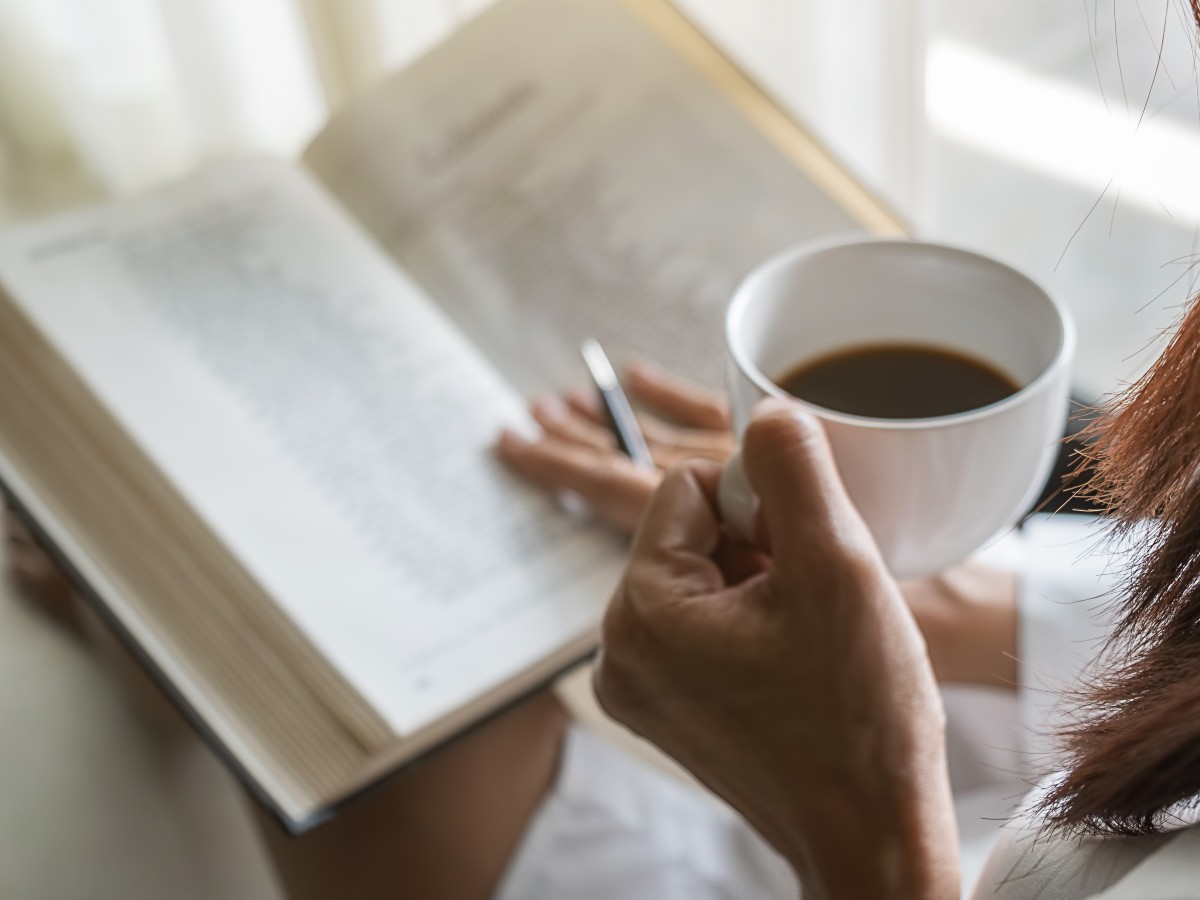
(746, 291)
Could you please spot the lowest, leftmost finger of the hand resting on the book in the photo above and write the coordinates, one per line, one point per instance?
(613, 485)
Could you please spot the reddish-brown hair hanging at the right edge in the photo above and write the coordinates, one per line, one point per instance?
(1135, 748)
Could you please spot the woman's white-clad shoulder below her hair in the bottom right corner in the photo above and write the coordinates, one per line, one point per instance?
(1030, 862)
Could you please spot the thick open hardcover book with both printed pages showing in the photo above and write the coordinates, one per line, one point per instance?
(253, 411)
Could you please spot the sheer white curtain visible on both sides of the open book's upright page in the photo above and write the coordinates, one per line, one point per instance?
(139, 91)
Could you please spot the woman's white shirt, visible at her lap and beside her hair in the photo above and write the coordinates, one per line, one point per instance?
(617, 830)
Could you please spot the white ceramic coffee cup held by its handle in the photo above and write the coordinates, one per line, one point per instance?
(932, 491)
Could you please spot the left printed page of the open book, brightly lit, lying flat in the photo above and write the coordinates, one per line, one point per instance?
(328, 423)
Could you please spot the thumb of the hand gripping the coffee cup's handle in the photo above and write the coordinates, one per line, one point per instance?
(793, 471)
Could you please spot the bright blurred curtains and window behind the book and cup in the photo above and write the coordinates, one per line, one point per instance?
(1058, 135)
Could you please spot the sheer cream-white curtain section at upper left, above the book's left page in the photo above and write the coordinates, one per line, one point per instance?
(134, 92)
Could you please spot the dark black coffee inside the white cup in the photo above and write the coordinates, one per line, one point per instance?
(897, 382)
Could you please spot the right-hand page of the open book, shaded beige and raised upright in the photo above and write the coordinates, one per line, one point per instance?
(556, 172)
